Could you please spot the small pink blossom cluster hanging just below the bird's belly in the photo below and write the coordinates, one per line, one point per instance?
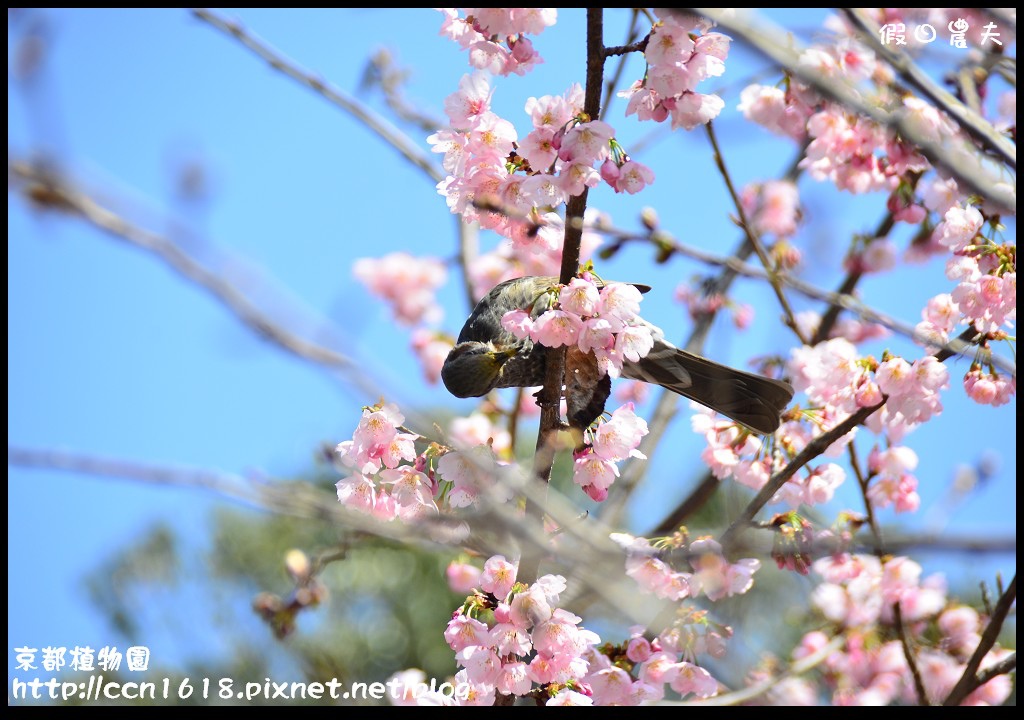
(595, 465)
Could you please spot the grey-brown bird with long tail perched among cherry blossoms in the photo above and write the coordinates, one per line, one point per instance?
(487, 357)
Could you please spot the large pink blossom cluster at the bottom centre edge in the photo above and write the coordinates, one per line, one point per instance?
(511, 639)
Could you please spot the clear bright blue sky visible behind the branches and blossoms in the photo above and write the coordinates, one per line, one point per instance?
(111, 354)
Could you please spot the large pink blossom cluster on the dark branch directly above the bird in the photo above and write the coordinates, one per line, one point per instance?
(515, 187)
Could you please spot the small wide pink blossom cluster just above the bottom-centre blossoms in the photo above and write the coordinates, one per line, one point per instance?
(712, 575)
